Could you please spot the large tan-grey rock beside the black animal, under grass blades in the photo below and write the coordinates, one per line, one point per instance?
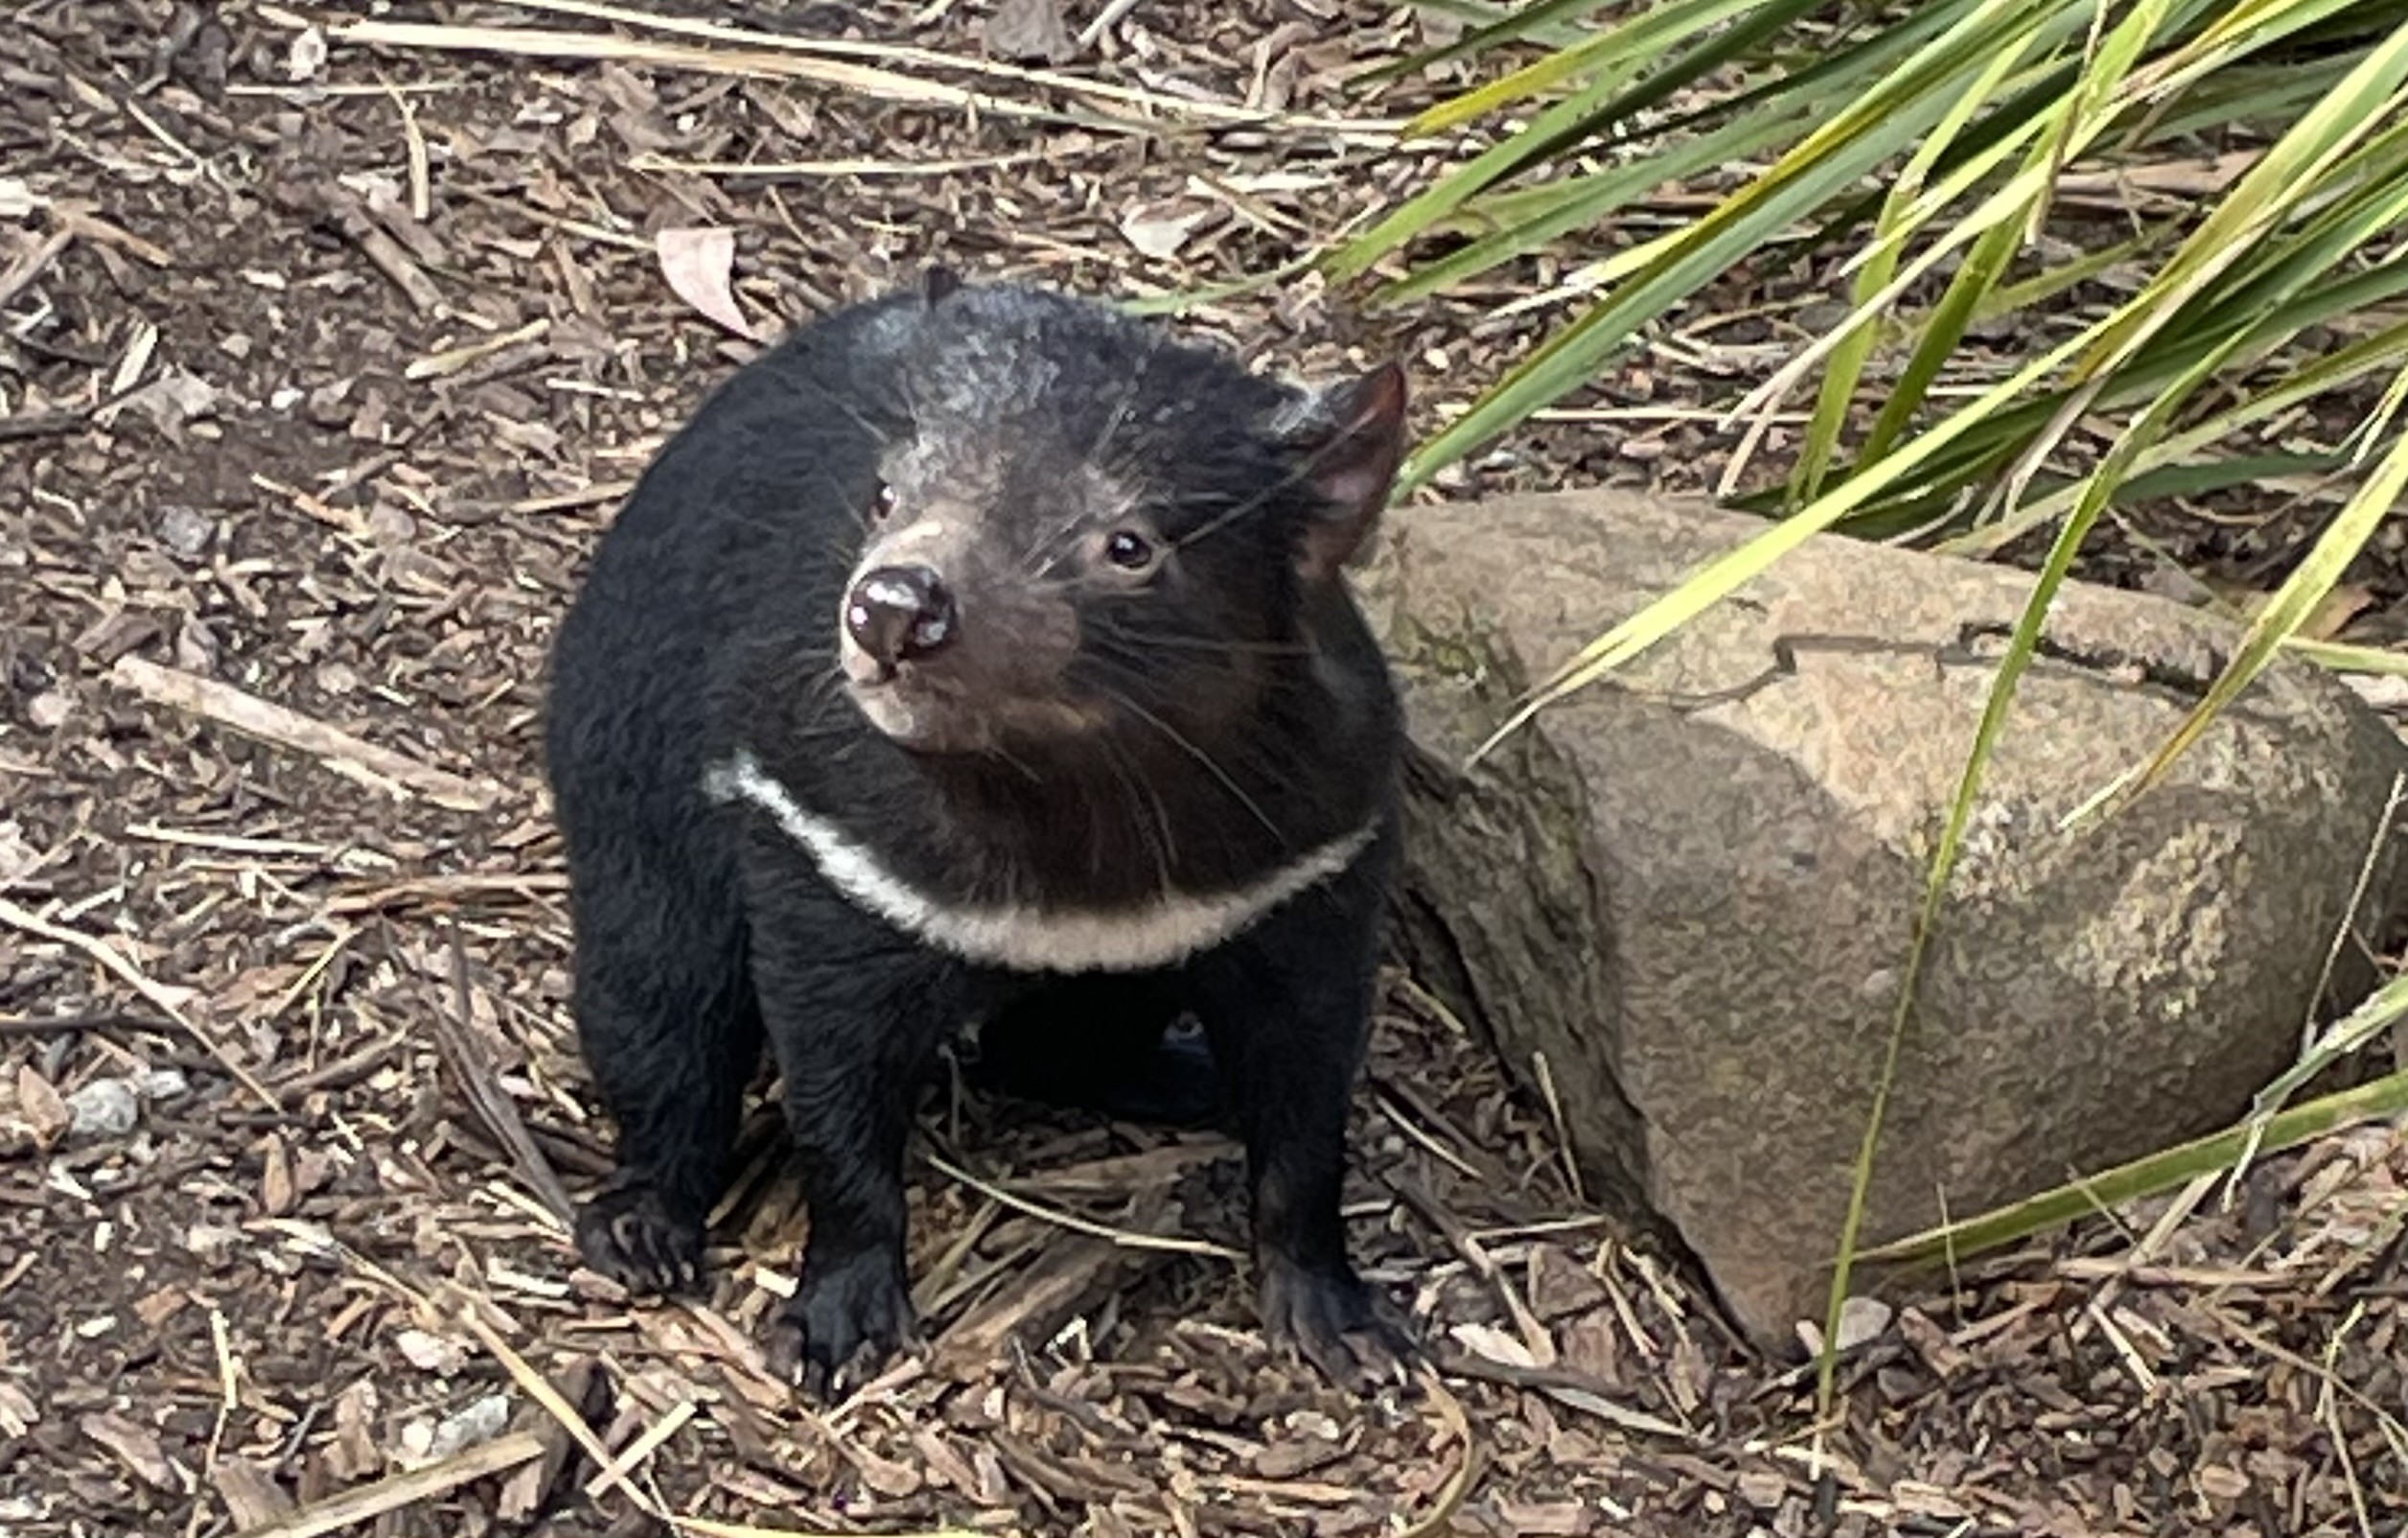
(1680, 901)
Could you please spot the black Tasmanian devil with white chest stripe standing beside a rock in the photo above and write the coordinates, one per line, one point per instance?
(981, 653)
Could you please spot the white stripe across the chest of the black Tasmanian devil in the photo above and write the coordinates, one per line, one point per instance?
(1029, 940)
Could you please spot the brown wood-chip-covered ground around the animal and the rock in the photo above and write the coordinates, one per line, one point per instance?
(321, 369)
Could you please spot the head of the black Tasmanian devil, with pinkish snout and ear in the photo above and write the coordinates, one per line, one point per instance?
(1090, 531)
